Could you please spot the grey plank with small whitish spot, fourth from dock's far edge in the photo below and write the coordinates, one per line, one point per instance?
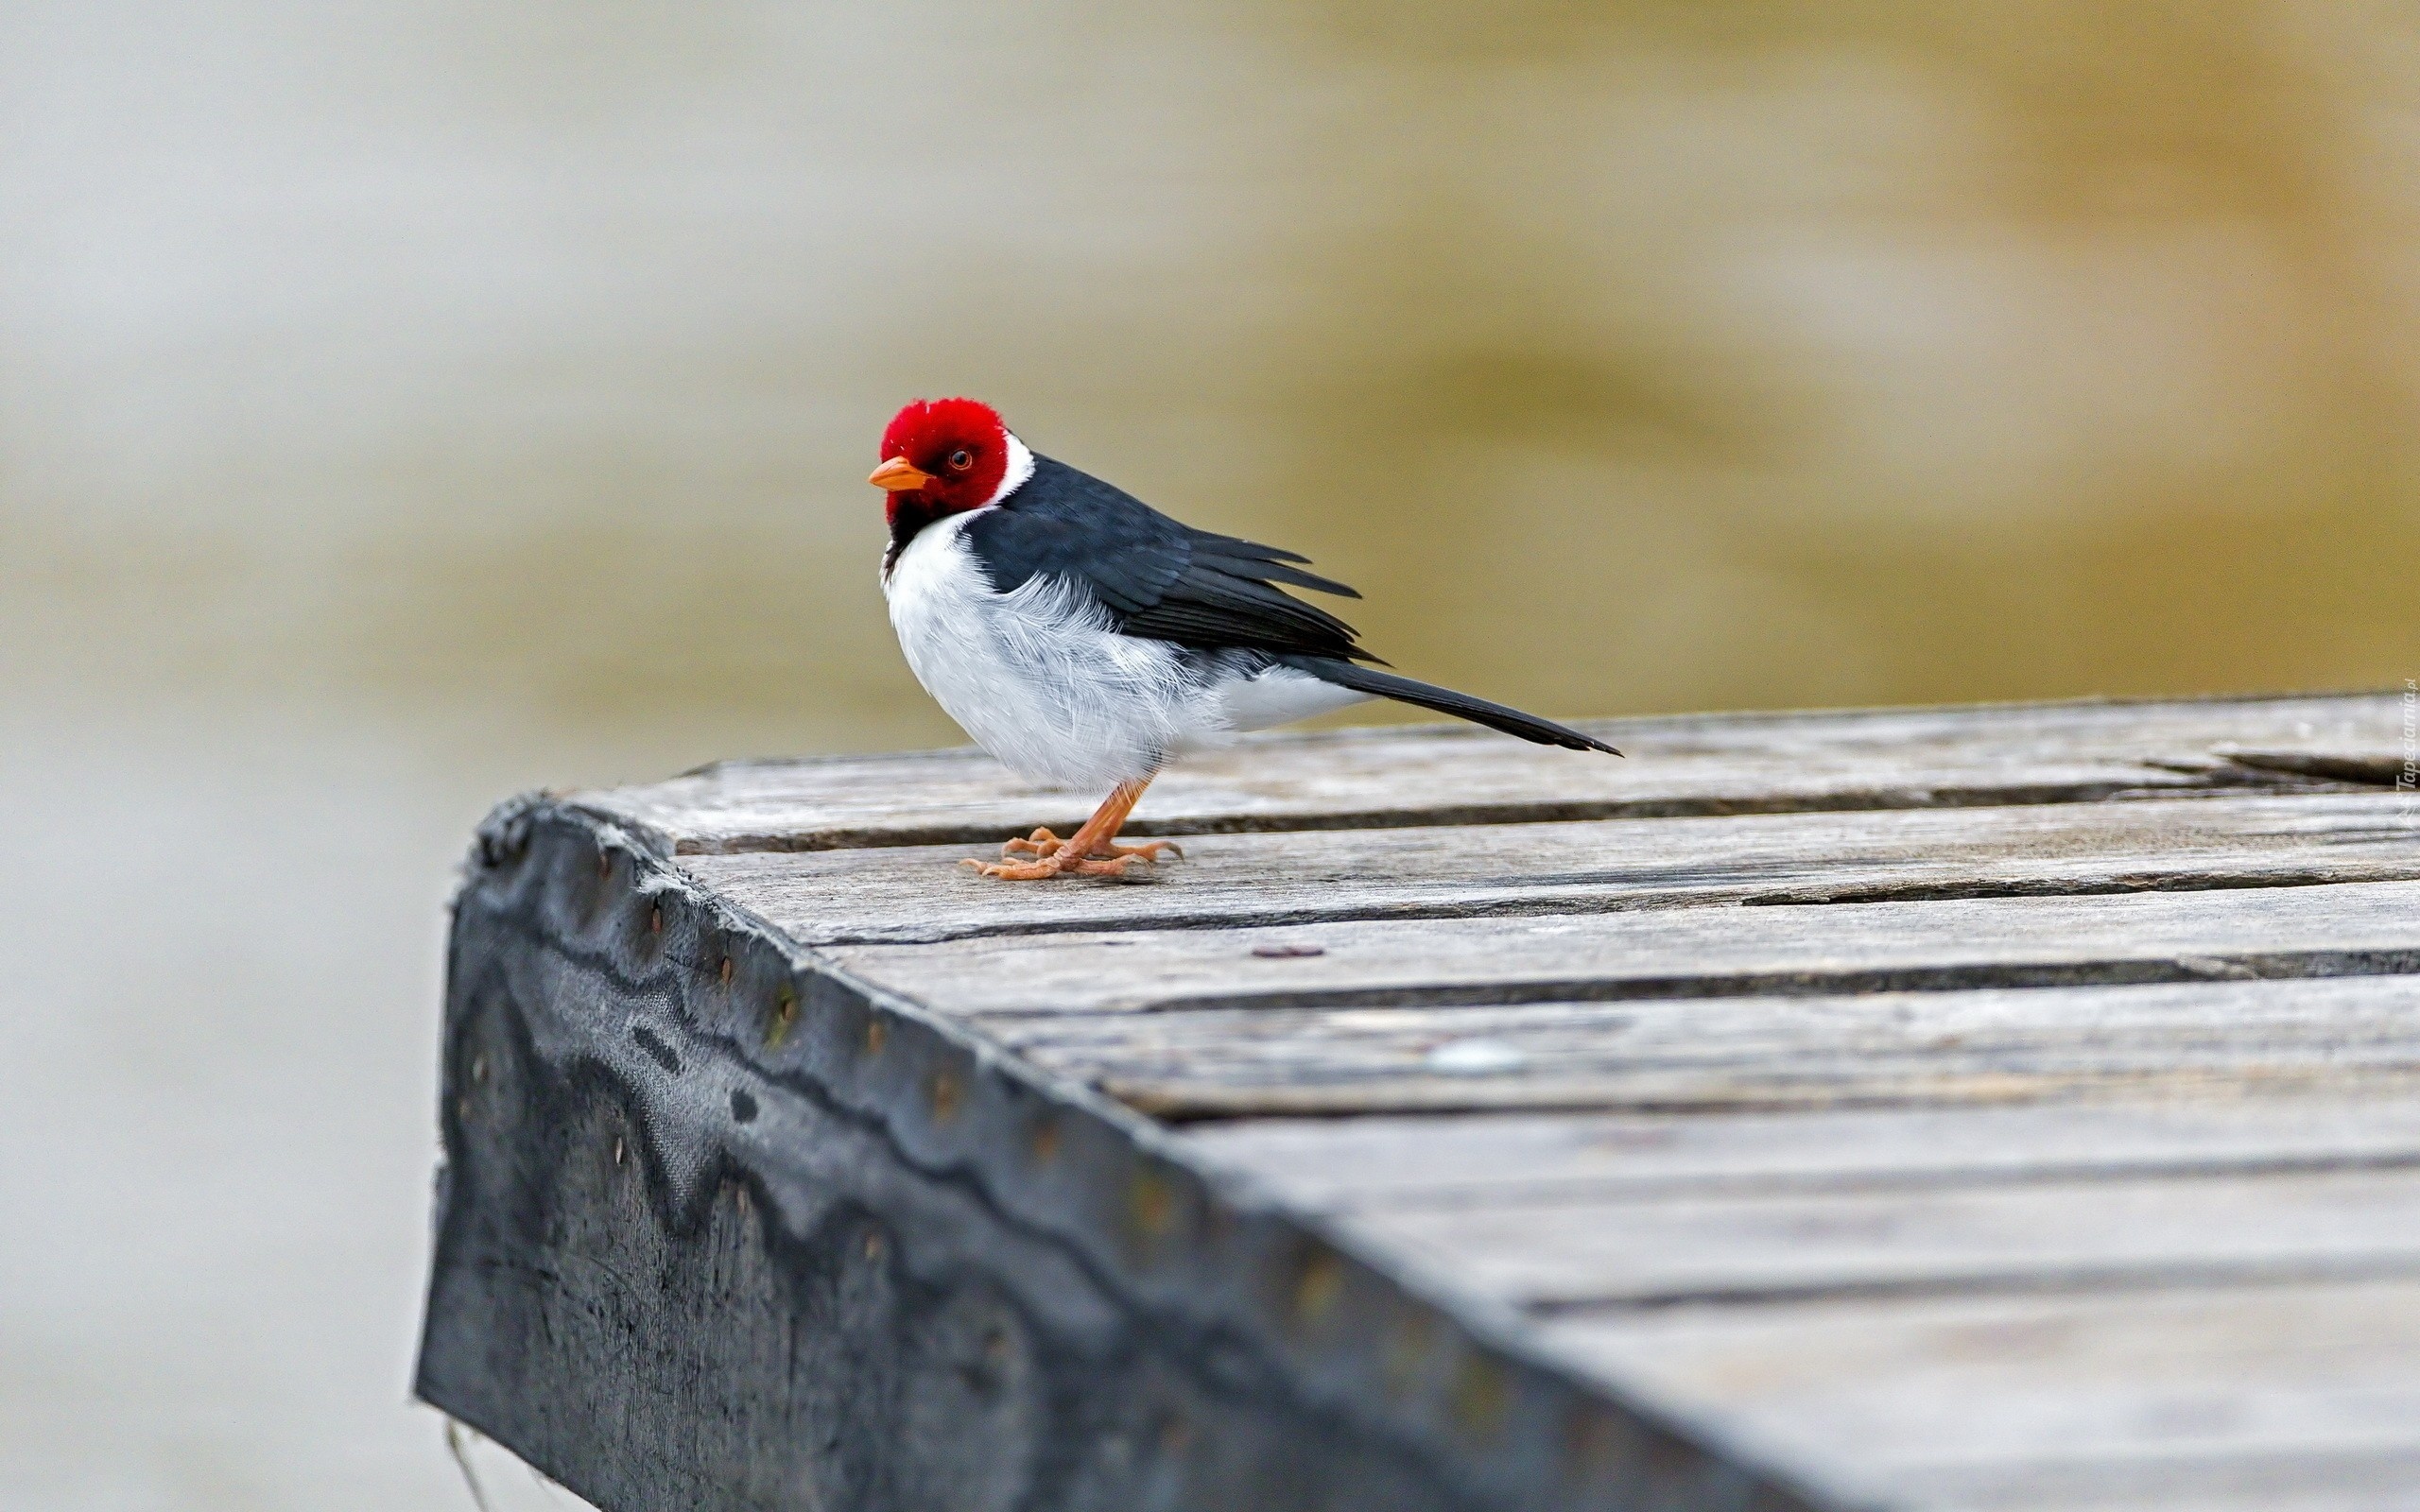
(1744, 1051)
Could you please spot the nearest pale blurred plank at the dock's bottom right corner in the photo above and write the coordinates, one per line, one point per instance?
(2249, 1397)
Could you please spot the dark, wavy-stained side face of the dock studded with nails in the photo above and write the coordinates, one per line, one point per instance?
(725, 1230)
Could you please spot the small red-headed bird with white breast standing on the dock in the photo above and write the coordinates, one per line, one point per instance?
(1083, 637)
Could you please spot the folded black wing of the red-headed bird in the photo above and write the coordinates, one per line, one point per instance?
(1156, 577)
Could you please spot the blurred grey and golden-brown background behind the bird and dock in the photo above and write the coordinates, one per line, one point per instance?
(403, 405)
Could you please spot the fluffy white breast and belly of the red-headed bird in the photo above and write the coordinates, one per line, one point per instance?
(1037, 676)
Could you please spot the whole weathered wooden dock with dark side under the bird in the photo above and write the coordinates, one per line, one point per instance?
(1990, 1109)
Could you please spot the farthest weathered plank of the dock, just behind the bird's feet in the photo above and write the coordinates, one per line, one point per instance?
(1453, 775)
